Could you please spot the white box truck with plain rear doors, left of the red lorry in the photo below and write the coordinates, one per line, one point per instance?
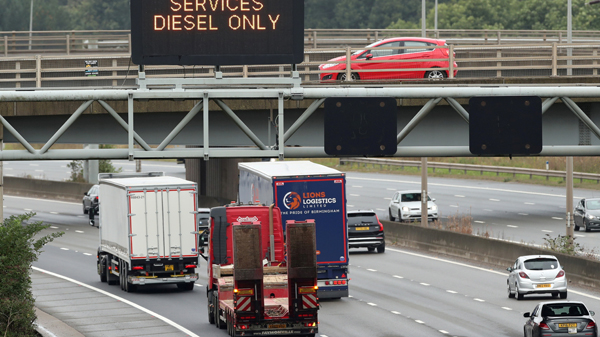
(148, 230)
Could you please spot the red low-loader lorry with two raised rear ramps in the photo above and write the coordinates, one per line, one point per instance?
(258, 285)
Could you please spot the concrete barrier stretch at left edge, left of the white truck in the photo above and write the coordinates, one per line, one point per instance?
(45, 189)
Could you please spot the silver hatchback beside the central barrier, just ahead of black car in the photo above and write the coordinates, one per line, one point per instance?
(536, 274)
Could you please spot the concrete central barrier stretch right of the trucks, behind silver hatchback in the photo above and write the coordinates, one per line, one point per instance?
(499, 253)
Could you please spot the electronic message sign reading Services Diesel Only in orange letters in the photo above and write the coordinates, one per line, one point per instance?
(217, 32)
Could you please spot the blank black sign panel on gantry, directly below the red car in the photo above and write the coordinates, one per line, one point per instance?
(360, 126)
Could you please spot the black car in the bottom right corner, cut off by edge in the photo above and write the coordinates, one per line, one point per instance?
(568, 318)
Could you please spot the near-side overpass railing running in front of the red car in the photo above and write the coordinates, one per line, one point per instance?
(474, 61)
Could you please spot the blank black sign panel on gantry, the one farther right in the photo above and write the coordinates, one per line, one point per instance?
(505, 125)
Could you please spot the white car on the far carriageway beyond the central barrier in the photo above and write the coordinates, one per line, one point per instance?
(406, 206)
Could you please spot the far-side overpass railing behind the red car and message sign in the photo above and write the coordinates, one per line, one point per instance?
(69, 42)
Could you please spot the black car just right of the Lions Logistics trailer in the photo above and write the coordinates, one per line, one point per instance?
(365, 230)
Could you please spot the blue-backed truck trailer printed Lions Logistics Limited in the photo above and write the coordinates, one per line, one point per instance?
(305, 190)
